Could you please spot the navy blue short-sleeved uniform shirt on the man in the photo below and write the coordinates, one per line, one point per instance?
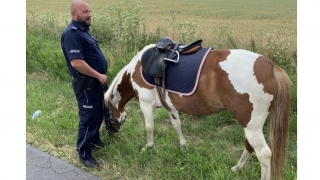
(78, 43)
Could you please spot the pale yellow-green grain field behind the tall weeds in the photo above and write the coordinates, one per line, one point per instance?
(243, 20)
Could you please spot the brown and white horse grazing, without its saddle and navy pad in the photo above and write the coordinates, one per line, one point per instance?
(247, 84)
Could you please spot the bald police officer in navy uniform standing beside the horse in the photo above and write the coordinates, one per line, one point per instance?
(87, 66)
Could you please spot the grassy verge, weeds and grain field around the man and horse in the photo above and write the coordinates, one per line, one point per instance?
(215, 141)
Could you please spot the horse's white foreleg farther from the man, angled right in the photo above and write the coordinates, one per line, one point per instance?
(175, 120)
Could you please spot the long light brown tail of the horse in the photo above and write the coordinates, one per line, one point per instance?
(279, 123)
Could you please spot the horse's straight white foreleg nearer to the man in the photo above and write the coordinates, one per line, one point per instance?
(148, 112)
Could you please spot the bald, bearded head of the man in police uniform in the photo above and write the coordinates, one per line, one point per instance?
(81, 12)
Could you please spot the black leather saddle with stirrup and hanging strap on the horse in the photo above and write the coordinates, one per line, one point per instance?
(166, 52)
